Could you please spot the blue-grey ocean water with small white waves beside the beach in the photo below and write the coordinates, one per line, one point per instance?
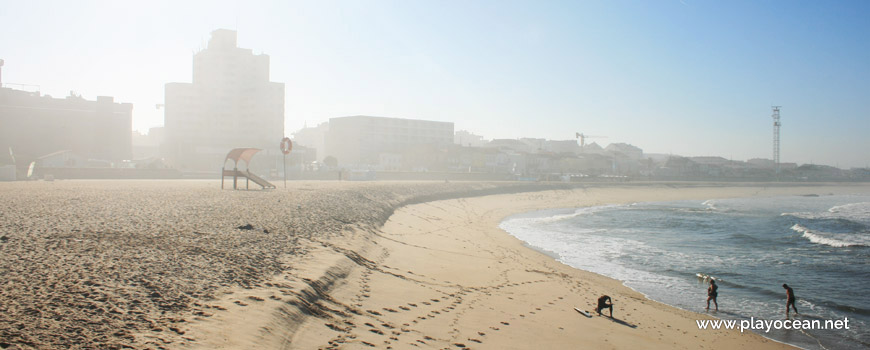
(818, 245)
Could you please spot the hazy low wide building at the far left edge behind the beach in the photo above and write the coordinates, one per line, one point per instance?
(34, 125)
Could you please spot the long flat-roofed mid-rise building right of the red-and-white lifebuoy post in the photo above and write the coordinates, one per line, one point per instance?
(358, 141)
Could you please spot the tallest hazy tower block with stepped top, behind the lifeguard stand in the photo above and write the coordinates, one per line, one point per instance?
(230, 104)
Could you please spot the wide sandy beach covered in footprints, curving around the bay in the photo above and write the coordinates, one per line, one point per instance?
(182, 264)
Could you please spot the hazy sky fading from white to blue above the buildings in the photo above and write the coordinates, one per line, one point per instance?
(684, 77)
